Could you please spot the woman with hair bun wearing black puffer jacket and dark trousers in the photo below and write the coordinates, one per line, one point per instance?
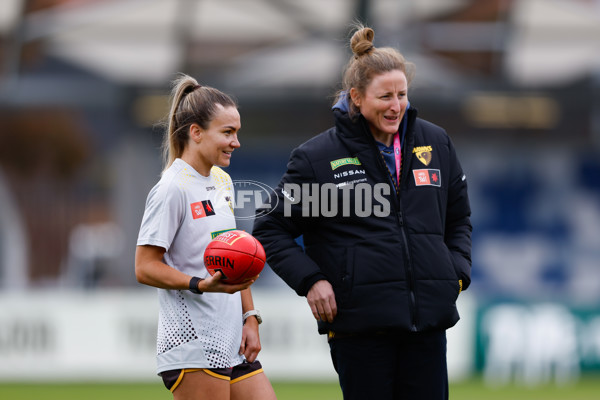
(382, 270)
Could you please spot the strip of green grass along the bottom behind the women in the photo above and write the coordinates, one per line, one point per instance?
(587, 389)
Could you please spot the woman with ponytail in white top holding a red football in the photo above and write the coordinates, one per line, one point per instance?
(208, 338)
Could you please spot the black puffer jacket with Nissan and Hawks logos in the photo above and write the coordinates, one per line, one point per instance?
(395, 259)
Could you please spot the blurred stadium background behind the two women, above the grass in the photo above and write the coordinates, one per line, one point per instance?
(83, 84)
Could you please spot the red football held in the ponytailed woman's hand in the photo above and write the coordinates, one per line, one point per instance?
(237, 254)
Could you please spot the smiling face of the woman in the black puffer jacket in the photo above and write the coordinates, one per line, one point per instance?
(383, 104)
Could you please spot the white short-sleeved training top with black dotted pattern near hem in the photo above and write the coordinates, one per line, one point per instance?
(184, 211)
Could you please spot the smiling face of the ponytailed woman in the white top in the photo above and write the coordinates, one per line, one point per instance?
(214, 145)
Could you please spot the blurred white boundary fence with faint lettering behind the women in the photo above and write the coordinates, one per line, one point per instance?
(48, 335)
